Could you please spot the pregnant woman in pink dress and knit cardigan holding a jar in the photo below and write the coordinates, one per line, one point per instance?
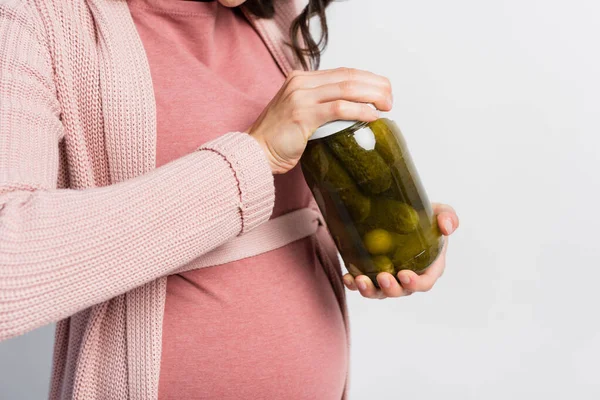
(151, 202)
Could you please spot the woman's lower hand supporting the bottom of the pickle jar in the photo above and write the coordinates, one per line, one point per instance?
(410, 281)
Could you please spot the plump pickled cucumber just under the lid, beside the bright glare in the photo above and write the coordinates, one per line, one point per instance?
(367, 167)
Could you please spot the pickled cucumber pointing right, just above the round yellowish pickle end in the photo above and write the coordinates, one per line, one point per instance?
(391, 215)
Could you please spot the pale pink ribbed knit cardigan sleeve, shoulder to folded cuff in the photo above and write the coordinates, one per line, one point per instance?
(62, 251)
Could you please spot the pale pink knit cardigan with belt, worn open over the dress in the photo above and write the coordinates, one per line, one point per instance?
(89, 228)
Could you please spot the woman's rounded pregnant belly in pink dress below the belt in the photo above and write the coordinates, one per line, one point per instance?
(267, 327)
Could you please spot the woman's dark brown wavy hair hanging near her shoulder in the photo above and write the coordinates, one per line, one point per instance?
(300, 29)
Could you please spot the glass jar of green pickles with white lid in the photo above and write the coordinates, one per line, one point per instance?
(366, 185)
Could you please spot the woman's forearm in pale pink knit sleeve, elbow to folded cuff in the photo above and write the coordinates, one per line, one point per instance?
(63, 250)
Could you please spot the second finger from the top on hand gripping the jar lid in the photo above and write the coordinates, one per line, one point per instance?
(355, 91)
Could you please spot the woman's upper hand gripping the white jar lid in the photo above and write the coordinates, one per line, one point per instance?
(308, 100)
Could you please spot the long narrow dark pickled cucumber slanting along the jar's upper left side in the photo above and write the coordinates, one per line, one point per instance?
(325, 168)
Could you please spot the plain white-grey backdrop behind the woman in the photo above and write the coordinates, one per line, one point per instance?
(499, 101)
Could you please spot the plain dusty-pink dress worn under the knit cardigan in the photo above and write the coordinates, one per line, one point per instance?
(254, 328)
